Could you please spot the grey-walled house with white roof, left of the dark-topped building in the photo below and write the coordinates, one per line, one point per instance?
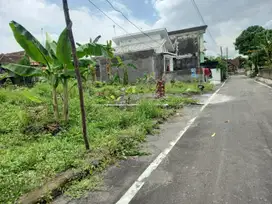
(145, 51)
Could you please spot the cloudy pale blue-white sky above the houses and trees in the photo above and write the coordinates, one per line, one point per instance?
(225, 19)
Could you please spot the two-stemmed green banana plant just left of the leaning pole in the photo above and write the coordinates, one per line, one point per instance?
(55, 58)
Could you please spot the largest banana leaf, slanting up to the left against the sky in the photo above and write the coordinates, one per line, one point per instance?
(29, 43)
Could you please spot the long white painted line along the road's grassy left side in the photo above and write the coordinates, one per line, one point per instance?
(138, 184)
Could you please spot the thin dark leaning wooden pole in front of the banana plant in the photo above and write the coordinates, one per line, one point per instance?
(79, 82)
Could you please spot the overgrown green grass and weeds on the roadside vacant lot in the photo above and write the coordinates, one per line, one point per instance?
(31, 154)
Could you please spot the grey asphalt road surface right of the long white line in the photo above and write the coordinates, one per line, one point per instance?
(224, 157)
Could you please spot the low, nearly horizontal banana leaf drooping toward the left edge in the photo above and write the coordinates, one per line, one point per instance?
(23, 70)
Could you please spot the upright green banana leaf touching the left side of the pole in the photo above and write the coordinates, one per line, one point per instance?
(64, 50)
